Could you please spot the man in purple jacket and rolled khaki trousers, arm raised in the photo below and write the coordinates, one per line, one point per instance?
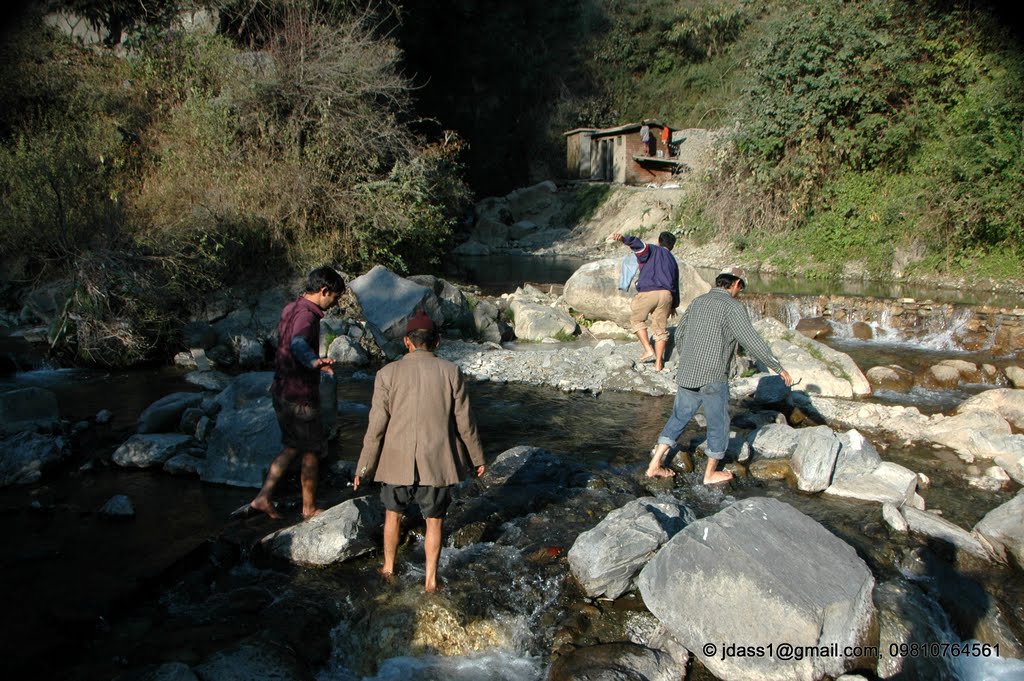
(658, 293)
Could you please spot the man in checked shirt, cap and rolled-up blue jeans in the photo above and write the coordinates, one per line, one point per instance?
(706, 339)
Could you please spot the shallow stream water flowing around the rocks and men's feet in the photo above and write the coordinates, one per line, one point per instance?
(96, 599)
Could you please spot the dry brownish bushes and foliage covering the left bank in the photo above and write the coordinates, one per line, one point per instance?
(186, 162)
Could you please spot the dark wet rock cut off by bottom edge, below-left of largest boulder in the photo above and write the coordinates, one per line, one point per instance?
(616, 662)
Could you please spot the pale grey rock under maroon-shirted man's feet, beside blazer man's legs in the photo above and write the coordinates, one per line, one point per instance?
(343, 532)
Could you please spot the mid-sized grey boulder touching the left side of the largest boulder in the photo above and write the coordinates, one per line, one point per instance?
(606, 560)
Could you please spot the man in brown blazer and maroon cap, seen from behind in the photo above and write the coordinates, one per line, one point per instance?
(421, 441)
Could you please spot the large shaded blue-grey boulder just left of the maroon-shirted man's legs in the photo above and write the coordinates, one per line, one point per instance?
(243, 444)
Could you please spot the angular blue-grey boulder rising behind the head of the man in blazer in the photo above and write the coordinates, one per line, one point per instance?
(389, 301)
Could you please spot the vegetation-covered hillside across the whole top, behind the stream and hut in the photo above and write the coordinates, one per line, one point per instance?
(871, 137)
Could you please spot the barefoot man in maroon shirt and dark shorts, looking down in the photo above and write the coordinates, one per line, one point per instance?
(296, 389)
